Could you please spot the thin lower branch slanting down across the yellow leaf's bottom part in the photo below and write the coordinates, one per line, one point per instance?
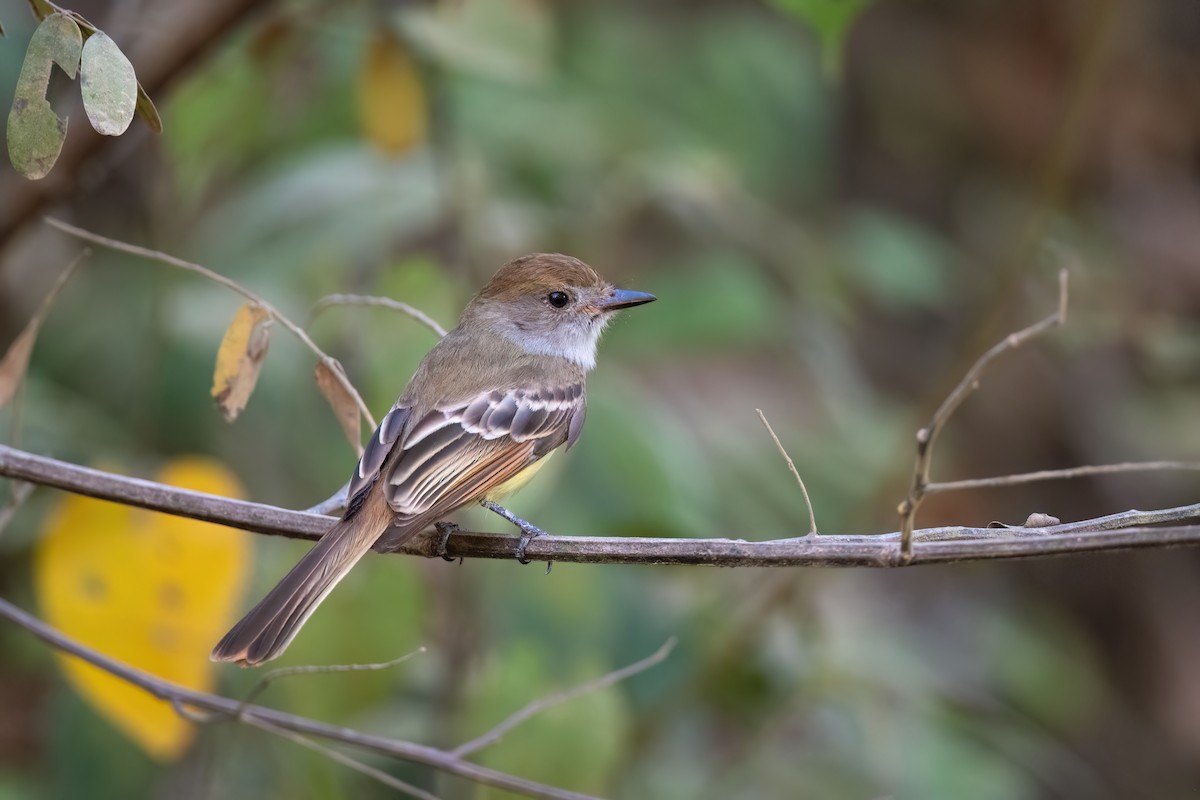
(271, 719)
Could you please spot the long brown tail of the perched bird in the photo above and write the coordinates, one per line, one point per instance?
(271, 627)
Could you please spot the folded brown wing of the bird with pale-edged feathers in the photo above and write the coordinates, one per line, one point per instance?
(459, 452)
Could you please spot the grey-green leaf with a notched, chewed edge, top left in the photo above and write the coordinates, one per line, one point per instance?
(35, 131)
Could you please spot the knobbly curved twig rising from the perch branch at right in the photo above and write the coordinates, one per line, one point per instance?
(928, 436)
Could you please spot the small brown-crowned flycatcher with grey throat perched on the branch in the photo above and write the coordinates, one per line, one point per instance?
(489, 404)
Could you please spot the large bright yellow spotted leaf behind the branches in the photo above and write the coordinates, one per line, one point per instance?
(148, 590)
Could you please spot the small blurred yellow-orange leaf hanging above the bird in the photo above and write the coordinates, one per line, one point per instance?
(392, 101)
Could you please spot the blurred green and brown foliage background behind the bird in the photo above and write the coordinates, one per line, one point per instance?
(839, 207)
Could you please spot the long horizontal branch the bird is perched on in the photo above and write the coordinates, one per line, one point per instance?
(1120, 532)
